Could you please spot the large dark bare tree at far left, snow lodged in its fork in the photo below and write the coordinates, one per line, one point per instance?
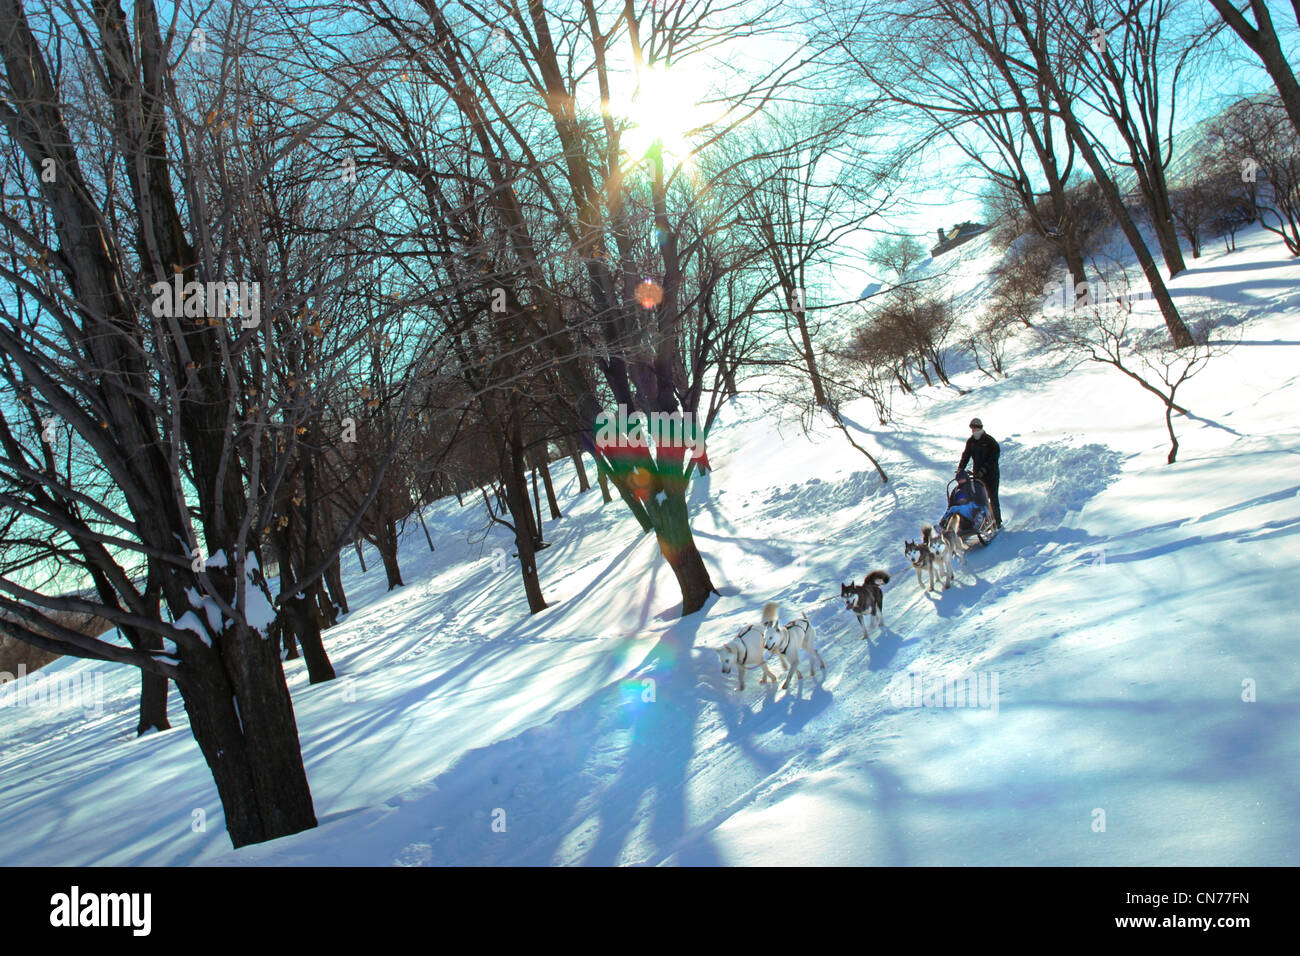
(140, 331)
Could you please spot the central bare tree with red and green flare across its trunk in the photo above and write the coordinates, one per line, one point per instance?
(569, 188)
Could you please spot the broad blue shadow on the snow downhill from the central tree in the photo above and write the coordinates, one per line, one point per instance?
(579, 788)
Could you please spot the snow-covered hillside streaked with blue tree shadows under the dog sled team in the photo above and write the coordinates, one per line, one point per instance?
(1137, 622)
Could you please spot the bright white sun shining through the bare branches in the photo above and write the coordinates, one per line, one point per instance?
(666, 109)
